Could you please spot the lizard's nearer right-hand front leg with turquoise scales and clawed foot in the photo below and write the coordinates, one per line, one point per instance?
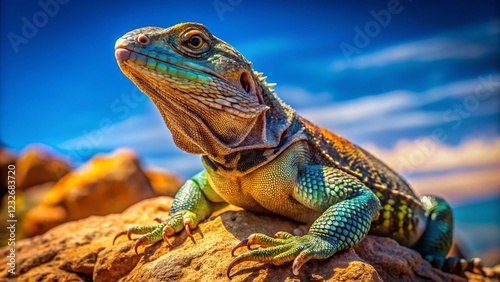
(348, 208)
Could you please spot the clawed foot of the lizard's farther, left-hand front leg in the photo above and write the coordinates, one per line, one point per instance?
(154, 233)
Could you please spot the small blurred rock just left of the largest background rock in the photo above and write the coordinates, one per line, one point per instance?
(36, 165)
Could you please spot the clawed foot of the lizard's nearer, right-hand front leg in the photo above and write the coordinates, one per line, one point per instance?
(282, 248)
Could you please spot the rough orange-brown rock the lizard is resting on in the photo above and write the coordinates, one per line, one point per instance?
(83, 251)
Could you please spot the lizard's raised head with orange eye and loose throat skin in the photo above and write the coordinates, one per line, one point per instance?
(210, 98)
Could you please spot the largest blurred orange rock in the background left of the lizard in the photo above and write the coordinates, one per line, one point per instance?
(104, 185)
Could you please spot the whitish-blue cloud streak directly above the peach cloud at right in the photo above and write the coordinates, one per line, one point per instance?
(402, 109)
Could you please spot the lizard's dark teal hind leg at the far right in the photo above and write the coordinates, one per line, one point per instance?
(438, 236)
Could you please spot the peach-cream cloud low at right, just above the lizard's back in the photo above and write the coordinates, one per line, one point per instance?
(468, 170)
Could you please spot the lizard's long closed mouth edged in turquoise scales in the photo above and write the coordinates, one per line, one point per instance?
(170, 67)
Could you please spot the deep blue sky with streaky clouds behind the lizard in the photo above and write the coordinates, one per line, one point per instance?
(416, 82)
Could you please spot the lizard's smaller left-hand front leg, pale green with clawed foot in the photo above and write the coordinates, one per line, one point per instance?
(191, 205)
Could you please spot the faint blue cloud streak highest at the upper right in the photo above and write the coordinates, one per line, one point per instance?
(461, 44)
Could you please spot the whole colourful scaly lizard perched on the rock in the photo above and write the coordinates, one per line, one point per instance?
(260, 155)
